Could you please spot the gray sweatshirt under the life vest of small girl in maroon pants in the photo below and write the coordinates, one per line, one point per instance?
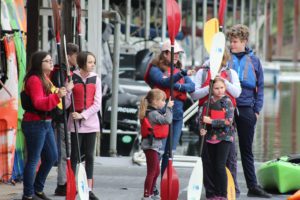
(156, 117)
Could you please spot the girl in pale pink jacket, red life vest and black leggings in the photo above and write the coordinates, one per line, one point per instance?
(87, 99)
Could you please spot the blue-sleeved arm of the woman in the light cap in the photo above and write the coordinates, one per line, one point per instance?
(157, 77)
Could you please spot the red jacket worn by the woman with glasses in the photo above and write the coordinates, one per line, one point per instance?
(40, 100)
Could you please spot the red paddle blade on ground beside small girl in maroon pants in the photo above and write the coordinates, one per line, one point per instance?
(169, 185)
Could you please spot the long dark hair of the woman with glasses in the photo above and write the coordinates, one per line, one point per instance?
(35, 68)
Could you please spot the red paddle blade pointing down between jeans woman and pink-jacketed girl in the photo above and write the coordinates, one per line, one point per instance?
(71, 184)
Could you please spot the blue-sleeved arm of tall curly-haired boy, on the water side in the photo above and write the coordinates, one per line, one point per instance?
(259, 97)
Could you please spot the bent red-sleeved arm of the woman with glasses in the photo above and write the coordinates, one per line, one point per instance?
(41, 102)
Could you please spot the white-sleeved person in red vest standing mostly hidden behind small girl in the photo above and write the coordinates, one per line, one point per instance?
(233, 90)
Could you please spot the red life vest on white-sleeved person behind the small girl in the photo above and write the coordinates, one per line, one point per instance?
(224, 74)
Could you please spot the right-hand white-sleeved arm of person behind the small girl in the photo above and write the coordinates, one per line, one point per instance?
(233, 87)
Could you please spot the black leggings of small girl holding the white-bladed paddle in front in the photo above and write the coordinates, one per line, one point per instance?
(218, 154)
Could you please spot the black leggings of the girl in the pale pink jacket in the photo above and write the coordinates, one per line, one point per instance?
(87, 147)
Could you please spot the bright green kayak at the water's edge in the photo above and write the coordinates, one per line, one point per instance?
(282, 174)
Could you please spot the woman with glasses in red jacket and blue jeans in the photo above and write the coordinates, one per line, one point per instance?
(38, 99)
